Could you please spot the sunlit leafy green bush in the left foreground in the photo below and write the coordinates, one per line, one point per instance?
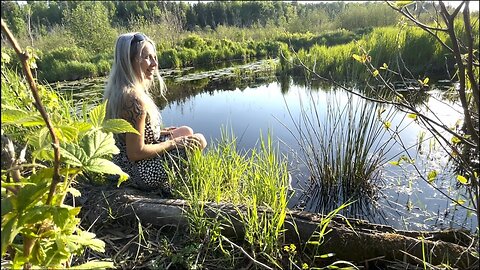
(37, 231)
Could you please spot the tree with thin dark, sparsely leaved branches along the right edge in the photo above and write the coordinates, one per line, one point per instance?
(463, 47)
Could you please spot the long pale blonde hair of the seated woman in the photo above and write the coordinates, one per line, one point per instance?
(122, 78)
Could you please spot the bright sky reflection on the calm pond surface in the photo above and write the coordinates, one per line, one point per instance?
(399, 199)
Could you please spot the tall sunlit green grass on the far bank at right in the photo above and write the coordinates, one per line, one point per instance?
(403, 49)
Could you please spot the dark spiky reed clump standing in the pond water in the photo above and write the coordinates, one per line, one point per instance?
(343, 145)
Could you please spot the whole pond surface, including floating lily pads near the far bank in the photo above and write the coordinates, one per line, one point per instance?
(254, 106)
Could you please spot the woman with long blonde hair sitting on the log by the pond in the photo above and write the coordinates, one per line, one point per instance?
(143, 156)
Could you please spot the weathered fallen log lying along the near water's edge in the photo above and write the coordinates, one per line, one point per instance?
(357, 241)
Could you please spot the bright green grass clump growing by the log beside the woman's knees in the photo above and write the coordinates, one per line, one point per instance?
(257, 180)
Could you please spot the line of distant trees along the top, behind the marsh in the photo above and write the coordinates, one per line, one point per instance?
(43, 16)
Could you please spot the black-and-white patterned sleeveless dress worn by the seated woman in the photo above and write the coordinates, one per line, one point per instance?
(149, 174)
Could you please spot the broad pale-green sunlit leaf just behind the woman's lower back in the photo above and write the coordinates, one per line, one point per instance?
(99, 144)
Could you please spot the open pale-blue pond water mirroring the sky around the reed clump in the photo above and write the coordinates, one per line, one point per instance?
(403, 200)
